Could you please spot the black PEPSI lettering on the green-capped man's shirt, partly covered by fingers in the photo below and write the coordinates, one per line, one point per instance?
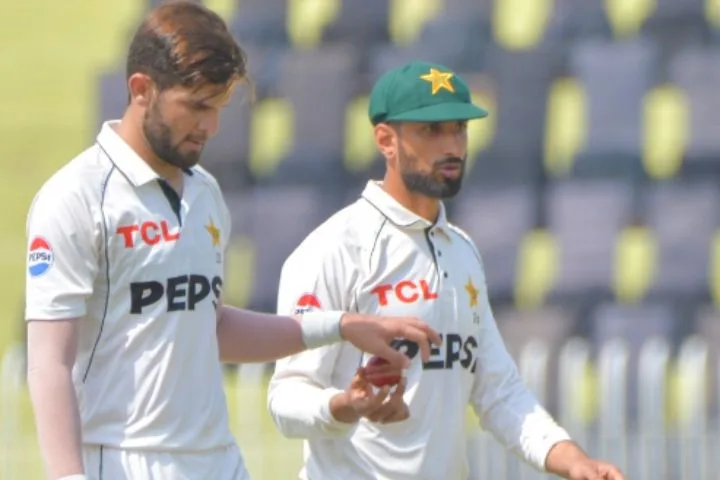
(455, 349)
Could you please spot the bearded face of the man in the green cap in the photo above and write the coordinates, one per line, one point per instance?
(431, 157)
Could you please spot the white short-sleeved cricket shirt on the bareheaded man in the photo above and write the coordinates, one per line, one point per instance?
(144, 270)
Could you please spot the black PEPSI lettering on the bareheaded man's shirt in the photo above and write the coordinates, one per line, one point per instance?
(181, 293)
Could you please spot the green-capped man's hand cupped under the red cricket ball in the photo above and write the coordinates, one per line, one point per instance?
(362, 400)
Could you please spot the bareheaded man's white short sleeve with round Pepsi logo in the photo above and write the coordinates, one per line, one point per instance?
(62, 253)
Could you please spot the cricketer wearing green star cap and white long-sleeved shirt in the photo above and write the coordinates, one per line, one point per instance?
(394, 252)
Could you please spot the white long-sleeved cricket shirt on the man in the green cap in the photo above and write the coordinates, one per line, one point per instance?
(376, 257)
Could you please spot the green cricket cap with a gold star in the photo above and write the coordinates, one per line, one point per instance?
(421, 92)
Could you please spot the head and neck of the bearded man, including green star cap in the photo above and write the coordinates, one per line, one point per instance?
(420, 113)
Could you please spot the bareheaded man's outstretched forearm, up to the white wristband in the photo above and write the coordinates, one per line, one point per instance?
(249, 337)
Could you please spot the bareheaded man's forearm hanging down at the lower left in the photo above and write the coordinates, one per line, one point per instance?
(57, 419)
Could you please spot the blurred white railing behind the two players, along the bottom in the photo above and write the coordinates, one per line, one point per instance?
(648, 444)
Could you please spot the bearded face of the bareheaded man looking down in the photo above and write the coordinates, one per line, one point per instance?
(179, 121)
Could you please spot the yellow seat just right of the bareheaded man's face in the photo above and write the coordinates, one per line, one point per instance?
(271, 135)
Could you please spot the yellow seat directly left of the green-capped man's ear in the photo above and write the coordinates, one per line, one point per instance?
(360, 150)
